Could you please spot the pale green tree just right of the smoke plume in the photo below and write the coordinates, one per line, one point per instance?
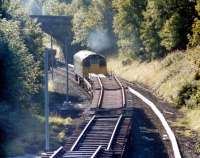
(126, 25)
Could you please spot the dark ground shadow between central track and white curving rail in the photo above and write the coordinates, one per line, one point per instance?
(146, 140)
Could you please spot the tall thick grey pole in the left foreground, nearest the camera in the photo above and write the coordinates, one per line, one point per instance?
(46, 94)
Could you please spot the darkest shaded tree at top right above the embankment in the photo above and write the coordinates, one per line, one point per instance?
(181, 13)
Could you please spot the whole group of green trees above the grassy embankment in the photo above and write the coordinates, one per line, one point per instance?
(150, 29)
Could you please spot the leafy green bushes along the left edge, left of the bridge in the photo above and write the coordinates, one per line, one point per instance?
(21, 54)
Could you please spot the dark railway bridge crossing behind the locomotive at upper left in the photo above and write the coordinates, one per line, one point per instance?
(60, 29)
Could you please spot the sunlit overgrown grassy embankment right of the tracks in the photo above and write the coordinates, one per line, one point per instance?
(175, 78)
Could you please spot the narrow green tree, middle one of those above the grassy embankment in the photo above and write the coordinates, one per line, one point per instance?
(149, 31)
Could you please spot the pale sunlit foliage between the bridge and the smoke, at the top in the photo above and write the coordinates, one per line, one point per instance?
(96, 16)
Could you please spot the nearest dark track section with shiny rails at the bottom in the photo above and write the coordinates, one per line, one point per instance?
(102, 137)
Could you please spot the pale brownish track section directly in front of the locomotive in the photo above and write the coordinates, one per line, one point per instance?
(108, 93)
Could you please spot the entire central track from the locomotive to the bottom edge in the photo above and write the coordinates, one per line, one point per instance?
(103, 136)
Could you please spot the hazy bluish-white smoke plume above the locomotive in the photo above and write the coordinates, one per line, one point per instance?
(99, 40)
